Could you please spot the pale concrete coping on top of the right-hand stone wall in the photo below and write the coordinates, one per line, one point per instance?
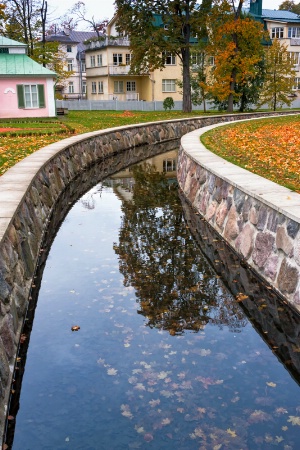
(272, 194)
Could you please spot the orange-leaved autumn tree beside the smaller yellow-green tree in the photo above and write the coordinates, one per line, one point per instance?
(235, 40)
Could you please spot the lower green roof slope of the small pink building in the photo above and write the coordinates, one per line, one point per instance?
(14, 64)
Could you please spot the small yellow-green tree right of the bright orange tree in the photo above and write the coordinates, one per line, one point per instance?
(279, 76)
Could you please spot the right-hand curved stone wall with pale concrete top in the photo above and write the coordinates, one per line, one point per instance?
(258, 218)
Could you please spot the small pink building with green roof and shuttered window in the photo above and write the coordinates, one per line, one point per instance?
(26, 87)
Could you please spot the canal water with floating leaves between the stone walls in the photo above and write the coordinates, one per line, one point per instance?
(148, 333)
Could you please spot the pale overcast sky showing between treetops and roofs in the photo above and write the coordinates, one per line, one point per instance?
(104, 9)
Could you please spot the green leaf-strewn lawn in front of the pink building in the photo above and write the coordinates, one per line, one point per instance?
(26, 136)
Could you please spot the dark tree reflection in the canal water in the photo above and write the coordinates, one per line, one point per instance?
(176, 288)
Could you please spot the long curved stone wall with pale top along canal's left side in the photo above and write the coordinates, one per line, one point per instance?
(28, 195)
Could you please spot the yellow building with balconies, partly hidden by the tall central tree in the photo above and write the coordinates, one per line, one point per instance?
(108, 78)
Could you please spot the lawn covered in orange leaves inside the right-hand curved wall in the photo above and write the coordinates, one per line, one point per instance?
(269, 147)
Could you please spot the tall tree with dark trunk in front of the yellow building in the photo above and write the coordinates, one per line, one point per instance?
(160, 27)
